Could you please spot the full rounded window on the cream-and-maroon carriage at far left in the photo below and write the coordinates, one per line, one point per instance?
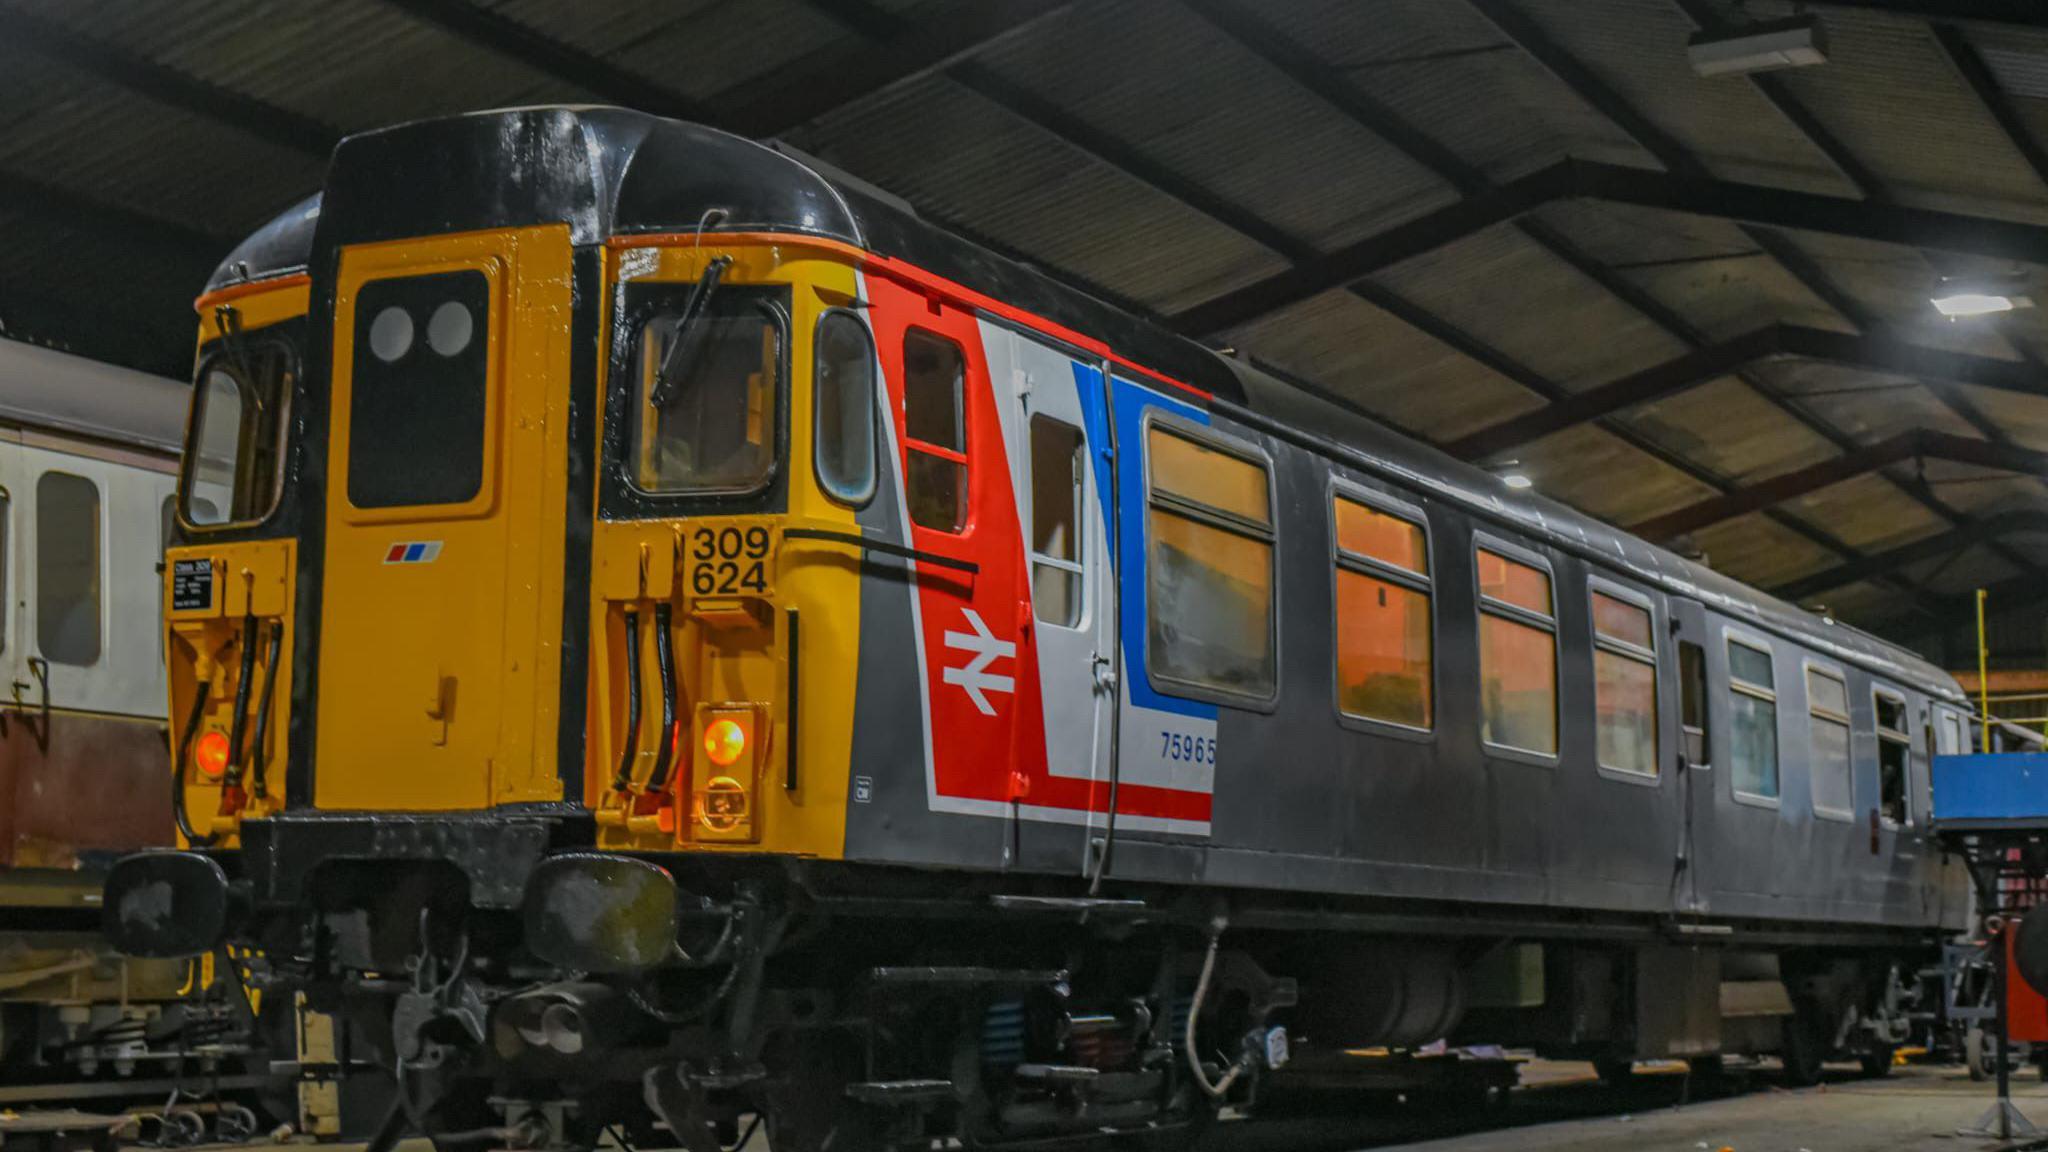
(69, 569)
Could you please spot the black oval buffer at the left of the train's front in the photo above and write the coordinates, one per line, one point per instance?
(165, 905)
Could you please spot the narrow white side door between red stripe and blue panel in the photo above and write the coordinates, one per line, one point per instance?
(1054, 423)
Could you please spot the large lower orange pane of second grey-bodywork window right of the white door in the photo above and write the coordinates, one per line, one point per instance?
(1383, 651)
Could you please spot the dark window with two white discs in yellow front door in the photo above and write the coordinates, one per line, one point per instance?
(419, 390)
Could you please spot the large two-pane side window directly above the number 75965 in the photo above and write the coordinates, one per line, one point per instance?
(1209, 567)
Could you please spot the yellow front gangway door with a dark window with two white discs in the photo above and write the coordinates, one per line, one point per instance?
(441, 587)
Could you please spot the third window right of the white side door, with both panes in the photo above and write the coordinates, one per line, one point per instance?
(1517, 655)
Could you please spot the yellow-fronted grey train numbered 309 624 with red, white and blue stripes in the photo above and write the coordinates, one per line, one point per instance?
(658, 632)
